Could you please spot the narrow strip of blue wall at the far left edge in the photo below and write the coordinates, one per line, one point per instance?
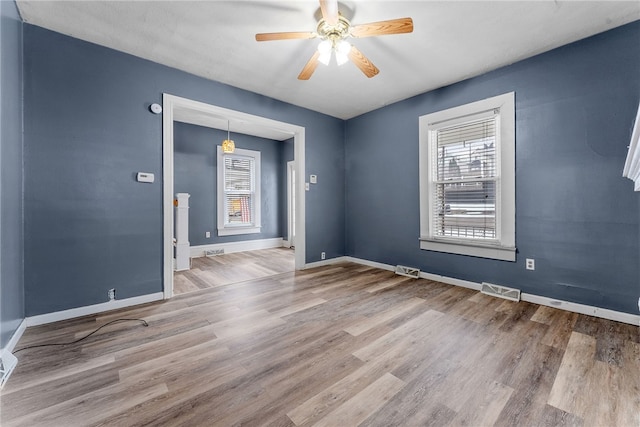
(11, 236)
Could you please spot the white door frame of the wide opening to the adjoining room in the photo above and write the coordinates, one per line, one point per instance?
(173, 104)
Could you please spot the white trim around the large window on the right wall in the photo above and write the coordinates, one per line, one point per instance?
(504, 249)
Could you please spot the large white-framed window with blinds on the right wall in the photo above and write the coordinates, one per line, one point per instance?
(467, 179)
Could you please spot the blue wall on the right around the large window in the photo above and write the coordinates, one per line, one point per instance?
(575, 213)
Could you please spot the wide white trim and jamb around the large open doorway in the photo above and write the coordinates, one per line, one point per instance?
(186, 110)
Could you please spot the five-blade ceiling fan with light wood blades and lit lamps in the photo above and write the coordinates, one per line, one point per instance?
(333, 29)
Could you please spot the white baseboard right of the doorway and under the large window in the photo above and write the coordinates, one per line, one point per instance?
(604, 313)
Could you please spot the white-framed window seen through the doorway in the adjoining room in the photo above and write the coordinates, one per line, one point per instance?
(238, 192)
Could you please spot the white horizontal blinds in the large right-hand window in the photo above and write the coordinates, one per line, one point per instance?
(465, 180)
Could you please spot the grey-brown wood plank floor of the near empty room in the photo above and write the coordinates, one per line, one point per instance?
(341, 345)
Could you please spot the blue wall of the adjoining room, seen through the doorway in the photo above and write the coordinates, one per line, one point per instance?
(195, 172)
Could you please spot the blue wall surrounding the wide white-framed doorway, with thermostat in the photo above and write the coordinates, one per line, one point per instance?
(89, 226)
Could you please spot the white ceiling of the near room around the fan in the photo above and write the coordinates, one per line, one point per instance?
(452, 40)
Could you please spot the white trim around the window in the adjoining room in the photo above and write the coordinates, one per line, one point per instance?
(228, 229)
